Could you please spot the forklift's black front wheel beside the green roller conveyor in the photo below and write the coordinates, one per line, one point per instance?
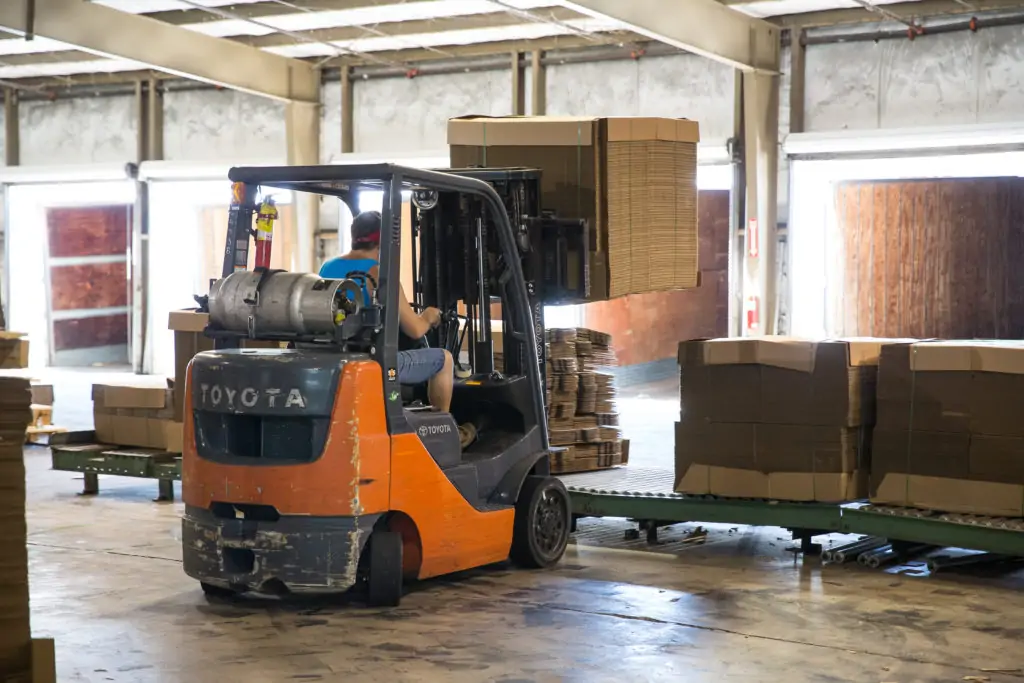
(543, 517)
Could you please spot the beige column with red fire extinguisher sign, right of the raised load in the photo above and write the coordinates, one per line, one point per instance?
(761, 164)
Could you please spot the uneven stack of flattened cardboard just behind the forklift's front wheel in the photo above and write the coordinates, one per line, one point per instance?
(582, 418)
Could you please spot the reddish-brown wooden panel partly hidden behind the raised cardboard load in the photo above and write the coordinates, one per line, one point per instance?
(650, 327)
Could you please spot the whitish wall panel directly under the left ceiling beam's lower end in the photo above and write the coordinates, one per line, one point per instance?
(223, 125)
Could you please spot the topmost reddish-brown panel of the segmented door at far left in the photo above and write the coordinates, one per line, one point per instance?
(88, 231)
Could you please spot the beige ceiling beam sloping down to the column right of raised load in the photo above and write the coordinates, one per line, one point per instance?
(704, 27)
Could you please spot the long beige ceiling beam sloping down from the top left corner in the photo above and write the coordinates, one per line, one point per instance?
(109, 33)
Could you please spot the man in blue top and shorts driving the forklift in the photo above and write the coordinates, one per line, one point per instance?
(432, 366)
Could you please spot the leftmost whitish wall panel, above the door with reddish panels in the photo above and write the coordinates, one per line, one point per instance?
(83, 131)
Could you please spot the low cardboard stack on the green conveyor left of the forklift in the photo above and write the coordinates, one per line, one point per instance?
(137, 416)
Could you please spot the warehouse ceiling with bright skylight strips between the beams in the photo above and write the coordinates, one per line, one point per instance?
(402, 33)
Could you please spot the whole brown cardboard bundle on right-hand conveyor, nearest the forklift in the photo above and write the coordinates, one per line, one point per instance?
(776, 418)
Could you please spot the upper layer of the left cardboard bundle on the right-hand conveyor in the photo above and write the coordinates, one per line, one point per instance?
(779, 380)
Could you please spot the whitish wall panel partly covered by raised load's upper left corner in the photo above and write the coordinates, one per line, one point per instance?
(409, 115)
